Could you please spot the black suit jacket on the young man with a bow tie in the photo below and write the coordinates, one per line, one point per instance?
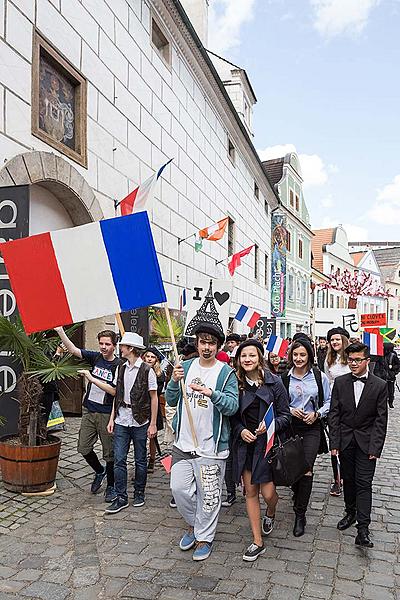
(367, 422)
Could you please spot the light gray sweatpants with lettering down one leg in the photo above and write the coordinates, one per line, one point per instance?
(196, 485)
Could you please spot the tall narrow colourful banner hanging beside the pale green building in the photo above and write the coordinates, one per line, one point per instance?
(278, 265)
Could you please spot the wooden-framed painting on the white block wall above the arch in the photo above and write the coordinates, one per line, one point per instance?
(58, 101)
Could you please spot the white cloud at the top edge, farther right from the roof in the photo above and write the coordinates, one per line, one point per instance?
(334, 17)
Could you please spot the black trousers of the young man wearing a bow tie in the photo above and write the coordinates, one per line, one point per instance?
(357, 474)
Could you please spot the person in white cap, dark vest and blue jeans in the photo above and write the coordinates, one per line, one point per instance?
(133, 418)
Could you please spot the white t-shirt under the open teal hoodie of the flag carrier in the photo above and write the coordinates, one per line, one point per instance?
(202, 410)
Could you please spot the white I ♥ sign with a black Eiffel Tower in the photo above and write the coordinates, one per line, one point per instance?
(208, 300)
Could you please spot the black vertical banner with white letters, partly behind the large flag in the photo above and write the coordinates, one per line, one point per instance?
(14, 224)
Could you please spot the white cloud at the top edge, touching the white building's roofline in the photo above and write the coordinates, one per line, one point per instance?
(226, 18)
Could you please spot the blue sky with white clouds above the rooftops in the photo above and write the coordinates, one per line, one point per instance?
(326, 76)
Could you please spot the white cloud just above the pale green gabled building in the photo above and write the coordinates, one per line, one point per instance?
(314, 171)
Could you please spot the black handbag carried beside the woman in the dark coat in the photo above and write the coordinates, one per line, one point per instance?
(288, 461)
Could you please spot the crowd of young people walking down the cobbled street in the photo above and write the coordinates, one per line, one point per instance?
(333, 398)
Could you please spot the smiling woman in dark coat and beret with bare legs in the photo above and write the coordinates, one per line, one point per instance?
(258, 388)
